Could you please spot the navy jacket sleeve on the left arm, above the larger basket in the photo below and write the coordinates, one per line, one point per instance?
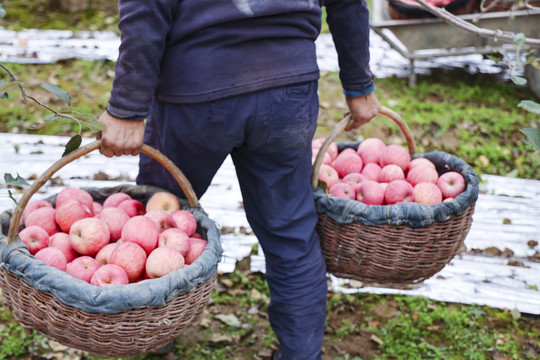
(144, 26)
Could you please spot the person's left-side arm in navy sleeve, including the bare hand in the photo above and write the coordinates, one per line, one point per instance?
(144, 26)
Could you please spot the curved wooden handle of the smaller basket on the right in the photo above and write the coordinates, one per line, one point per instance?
(405, 130)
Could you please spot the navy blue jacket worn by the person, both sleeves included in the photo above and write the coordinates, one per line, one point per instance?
(200, 50)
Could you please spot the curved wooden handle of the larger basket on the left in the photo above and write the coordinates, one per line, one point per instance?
(60, 163)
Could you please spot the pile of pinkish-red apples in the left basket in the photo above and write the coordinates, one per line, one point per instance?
(118, 242)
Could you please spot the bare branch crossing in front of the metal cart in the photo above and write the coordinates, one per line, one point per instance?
(451, 19)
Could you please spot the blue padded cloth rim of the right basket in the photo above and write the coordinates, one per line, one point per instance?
(345, 211)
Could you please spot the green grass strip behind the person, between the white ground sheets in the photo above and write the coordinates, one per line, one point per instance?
(467, 115)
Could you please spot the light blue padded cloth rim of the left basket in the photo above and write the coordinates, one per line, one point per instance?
(16, 259)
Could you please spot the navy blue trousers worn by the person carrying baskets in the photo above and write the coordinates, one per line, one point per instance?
(268, 135)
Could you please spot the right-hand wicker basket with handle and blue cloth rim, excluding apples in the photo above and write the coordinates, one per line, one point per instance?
(381, 245)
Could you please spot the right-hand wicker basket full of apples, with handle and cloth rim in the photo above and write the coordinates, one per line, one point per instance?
(387, 215)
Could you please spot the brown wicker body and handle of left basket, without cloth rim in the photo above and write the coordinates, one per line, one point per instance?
(128, 333)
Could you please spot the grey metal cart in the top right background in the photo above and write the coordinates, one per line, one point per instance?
(426, 38)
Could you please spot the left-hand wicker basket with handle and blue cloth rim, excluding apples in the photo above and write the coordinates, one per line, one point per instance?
(117, 321)
